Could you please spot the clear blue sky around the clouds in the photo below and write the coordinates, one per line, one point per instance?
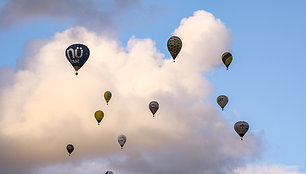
(265, 82)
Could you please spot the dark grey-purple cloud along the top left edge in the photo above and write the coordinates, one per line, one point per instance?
(89, 13)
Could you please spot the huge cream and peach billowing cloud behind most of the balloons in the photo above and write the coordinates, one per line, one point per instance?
(44, 106)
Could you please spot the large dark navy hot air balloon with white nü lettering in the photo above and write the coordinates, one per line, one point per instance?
(77, 55)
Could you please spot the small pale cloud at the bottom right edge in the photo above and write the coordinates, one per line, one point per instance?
(268, 169)
